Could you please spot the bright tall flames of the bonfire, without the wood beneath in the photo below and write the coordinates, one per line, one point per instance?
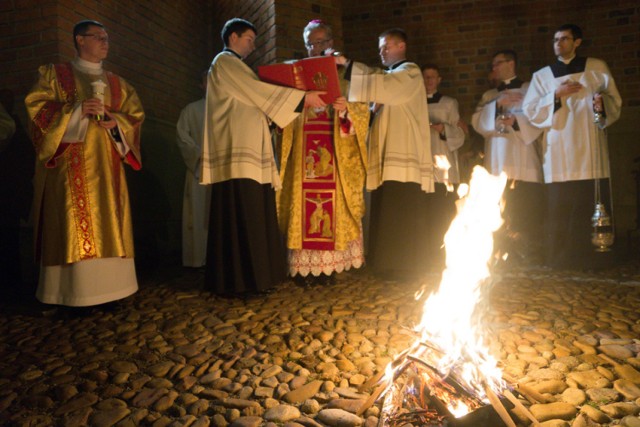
(448, 320)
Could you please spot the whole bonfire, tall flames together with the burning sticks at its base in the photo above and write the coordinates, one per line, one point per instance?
(454, 365)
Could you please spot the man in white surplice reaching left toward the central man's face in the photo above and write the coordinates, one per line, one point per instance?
(400, 167)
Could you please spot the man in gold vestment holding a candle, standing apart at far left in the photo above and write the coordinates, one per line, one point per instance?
(85, 124)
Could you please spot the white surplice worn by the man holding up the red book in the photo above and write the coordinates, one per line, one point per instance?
(237, 139)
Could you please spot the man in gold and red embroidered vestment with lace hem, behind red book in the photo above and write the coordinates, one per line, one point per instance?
(322, 169)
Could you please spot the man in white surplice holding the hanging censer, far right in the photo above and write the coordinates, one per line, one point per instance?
(573, 101)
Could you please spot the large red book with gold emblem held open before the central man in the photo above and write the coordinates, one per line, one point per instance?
(316, 73)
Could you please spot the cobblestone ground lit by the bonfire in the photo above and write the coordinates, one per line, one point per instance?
(177, 355)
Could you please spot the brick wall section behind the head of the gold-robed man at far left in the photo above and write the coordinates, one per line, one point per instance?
(160, 47)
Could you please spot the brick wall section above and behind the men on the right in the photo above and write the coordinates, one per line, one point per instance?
(461, 35)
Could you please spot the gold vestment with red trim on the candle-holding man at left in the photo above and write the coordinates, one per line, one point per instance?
(81, 200)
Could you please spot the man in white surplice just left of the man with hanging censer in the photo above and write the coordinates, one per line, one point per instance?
(512, 146)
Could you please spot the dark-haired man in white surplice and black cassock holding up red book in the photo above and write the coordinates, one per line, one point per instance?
(245, 250)
